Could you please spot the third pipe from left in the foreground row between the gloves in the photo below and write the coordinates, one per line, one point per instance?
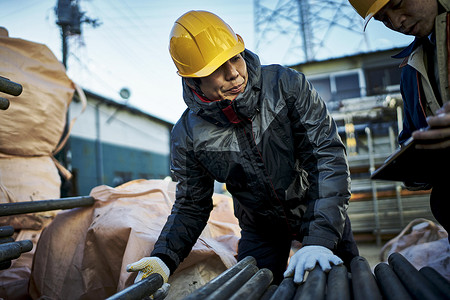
(255, 287)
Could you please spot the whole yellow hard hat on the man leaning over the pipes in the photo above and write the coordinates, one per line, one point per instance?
(200, 42)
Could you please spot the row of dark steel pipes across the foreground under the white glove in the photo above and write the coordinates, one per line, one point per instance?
(396, 280)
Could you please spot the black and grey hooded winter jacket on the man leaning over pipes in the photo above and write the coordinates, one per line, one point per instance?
(277, 149)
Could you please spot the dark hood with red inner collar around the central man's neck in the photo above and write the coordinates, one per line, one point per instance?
(227, 112)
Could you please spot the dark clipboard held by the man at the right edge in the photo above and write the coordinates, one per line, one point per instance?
(408, 164)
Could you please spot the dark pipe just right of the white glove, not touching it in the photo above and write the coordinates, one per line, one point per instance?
(364, 284)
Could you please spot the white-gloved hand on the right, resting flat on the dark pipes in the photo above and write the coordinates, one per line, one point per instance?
(306, 259)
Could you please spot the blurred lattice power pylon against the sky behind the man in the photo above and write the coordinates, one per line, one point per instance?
(306, 30)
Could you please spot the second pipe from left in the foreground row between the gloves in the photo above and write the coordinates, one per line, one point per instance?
(234, 284)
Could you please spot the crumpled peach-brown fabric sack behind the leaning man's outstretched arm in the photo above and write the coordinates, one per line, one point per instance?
(84, 252)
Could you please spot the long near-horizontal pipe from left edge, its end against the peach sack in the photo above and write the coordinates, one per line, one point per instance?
(8, 209)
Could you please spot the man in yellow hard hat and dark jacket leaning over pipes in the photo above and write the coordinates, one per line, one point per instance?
(266, 133)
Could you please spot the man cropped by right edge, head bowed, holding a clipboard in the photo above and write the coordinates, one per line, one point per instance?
(424, 81)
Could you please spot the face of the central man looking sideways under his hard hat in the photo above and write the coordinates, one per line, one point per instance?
(227, 81)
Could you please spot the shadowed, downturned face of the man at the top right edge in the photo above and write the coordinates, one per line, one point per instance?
(410, 17)
